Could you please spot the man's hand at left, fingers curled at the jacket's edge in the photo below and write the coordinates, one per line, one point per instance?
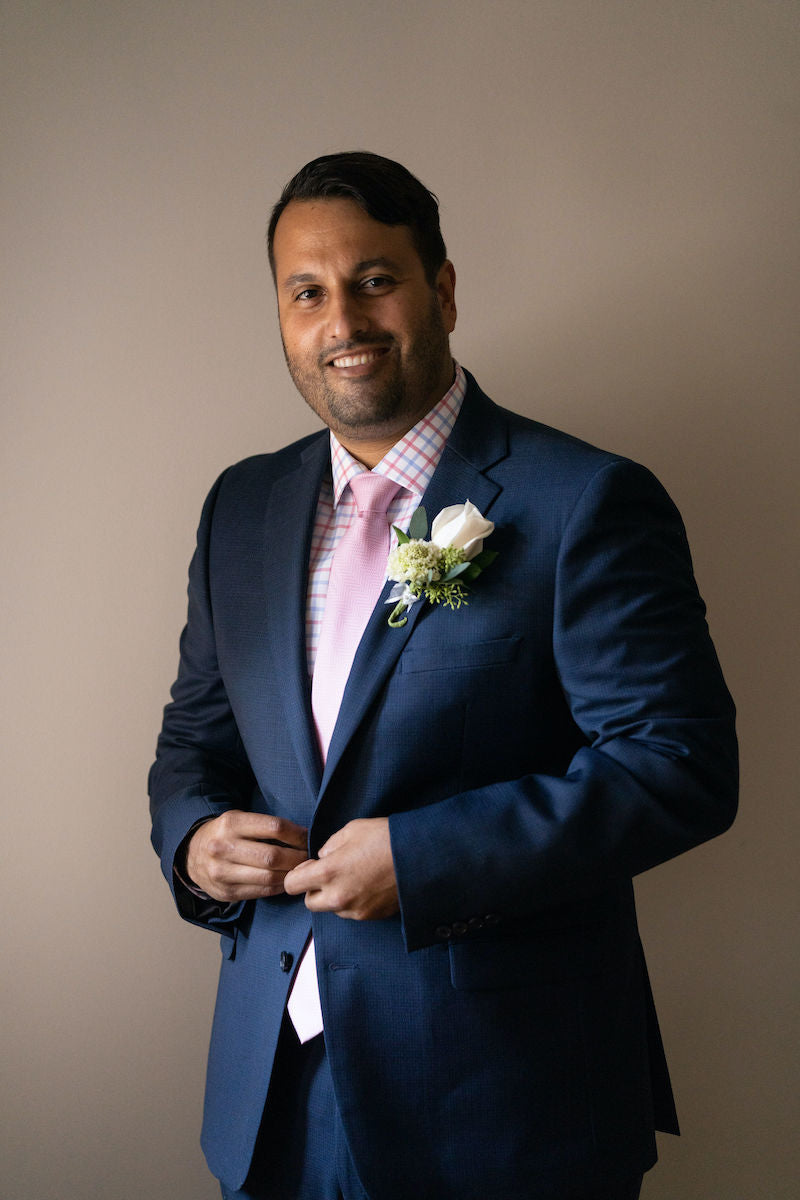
(244, 856)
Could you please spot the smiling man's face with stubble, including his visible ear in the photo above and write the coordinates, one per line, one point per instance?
(365, 334)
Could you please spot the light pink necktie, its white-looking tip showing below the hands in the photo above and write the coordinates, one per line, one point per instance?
(357, 580)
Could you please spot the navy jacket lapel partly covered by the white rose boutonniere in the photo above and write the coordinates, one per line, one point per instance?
(478, 441)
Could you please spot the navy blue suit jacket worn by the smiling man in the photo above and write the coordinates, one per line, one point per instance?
(533, 751)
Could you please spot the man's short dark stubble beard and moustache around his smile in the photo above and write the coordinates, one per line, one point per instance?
(408, 386)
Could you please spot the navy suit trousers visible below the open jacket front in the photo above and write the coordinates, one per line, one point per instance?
(302, 1153)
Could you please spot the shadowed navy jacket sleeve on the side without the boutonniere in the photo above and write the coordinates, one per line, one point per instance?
(201, 767)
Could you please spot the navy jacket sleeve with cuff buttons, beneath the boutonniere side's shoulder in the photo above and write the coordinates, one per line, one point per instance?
(658, 772)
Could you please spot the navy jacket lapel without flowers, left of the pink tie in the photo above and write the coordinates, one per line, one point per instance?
(290, 525)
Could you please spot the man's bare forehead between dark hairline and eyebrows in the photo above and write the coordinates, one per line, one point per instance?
(336, 235)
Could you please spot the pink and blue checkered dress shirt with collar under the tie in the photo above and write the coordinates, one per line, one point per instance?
(411, 464)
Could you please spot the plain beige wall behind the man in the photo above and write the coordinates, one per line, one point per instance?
(619, 190)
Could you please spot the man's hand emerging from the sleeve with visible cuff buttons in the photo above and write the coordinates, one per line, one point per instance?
(354, 875)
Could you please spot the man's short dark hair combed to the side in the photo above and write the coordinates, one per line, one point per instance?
(386, 190)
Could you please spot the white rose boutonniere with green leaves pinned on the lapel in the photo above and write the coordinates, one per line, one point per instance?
(438, 571)
